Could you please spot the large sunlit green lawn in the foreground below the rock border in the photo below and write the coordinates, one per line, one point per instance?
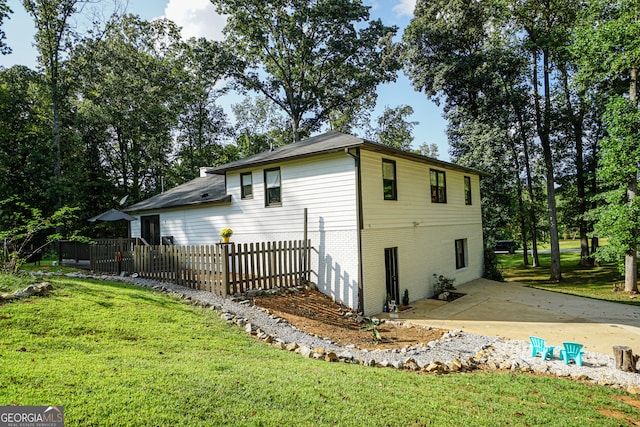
(115, 354)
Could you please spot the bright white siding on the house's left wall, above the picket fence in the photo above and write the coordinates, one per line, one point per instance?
(326, 187)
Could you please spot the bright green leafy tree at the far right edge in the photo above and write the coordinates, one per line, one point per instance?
(610, 50)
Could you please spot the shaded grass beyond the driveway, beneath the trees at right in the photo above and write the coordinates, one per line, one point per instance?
(591, 282)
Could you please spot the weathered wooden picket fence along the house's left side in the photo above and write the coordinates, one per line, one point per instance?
(224, 268)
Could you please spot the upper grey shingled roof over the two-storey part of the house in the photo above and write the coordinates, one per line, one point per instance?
(327, 143)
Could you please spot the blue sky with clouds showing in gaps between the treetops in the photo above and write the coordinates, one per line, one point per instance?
(198, 19)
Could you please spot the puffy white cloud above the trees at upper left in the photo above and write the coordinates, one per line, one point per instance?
(198, 18)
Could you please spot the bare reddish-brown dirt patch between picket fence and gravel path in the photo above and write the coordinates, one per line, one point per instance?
(317, 314)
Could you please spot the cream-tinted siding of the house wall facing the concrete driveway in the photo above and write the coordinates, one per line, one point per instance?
(424, 232)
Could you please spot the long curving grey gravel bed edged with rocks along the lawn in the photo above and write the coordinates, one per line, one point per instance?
(455, 351)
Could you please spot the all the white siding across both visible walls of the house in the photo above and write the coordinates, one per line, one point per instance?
(424, 232)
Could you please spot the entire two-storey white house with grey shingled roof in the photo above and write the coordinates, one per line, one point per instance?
(380, 220)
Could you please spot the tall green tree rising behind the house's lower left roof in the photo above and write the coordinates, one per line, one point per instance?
(131, 80)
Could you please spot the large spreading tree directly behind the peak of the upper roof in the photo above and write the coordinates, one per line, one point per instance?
(312, 58)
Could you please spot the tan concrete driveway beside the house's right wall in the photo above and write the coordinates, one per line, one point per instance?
(515, 311)
